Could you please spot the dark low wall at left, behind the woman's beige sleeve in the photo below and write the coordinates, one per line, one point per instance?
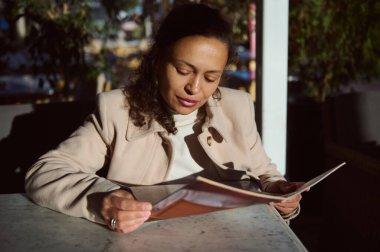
(32, 134)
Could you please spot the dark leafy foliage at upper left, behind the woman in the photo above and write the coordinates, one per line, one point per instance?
(57, 34)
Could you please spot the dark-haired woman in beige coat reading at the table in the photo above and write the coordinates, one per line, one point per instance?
(172, 123)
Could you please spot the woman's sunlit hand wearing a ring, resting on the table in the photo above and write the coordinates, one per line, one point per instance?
(128, 212)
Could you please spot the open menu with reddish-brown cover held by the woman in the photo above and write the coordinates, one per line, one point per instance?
(205, 195)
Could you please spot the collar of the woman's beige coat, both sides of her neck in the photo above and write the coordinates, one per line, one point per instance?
(214, 119)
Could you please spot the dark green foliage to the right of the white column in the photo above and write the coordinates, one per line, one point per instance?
(332, 43)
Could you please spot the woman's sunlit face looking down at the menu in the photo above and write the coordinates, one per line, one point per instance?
(191, 72)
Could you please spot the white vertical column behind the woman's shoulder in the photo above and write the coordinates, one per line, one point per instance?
(274, 79)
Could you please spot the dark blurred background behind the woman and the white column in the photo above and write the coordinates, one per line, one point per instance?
(55, 56)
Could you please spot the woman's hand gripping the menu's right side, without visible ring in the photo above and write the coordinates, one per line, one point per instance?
(286, 206)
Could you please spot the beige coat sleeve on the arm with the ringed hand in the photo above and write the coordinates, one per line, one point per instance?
(65, 180)
